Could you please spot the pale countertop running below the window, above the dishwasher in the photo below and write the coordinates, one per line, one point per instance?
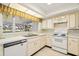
(11, 39)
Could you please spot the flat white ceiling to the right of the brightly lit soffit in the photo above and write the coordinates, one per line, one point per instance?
(47, 10)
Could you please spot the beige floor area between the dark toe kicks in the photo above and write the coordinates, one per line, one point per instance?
(49, 52)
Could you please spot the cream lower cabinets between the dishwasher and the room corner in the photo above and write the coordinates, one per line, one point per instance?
(35, 44)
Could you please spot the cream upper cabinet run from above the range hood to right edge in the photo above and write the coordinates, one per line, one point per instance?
(71, 19)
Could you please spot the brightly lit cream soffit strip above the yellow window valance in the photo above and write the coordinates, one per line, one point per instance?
(23, 9)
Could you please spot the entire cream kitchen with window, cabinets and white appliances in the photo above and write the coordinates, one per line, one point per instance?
(39, 29)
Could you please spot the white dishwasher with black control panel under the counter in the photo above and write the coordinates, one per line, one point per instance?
(16, 48)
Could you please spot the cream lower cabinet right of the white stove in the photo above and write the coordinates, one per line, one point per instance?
(73, 45)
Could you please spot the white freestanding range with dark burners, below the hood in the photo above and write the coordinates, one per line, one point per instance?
(60, 41)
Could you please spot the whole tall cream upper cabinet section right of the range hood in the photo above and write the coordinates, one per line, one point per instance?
(73, 20)
